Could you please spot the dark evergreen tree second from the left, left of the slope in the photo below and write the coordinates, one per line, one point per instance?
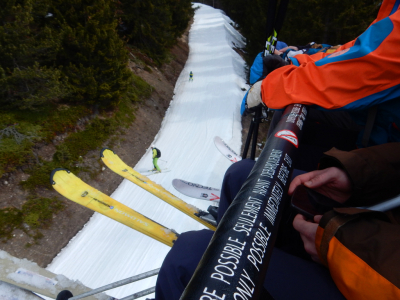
(93, 57)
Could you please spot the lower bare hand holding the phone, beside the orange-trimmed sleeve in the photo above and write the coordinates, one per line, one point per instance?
(308, 230)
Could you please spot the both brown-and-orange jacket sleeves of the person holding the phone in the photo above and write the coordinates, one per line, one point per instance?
(360, 247)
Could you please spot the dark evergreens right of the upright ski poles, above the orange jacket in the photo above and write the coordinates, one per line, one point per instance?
(334, 22)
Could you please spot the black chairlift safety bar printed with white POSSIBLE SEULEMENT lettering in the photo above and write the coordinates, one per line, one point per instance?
(235, 263)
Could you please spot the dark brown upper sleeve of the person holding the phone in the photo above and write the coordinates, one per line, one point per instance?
(374, 172)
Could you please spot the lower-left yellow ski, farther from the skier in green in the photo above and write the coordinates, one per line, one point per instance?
(73, 188)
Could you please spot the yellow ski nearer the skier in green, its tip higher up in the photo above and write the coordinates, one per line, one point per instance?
(115, 164)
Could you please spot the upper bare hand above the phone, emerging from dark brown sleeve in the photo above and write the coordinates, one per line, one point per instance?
(331, 182)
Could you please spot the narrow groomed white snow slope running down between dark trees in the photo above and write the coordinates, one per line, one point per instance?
(106, 251)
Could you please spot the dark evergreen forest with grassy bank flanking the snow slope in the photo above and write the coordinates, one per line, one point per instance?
(63, 60)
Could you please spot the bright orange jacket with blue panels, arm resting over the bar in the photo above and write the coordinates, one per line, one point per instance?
(360, 74)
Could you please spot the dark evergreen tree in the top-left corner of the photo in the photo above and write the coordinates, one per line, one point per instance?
(27, 50)
